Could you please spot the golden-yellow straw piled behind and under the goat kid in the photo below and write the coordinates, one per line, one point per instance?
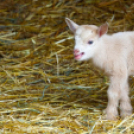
(42, 88)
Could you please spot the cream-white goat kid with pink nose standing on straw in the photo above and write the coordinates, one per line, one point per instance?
(112, 53)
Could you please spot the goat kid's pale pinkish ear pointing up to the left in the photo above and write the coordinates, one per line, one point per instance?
(72, 25)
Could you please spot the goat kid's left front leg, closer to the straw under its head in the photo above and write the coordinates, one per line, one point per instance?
(116, 83)
